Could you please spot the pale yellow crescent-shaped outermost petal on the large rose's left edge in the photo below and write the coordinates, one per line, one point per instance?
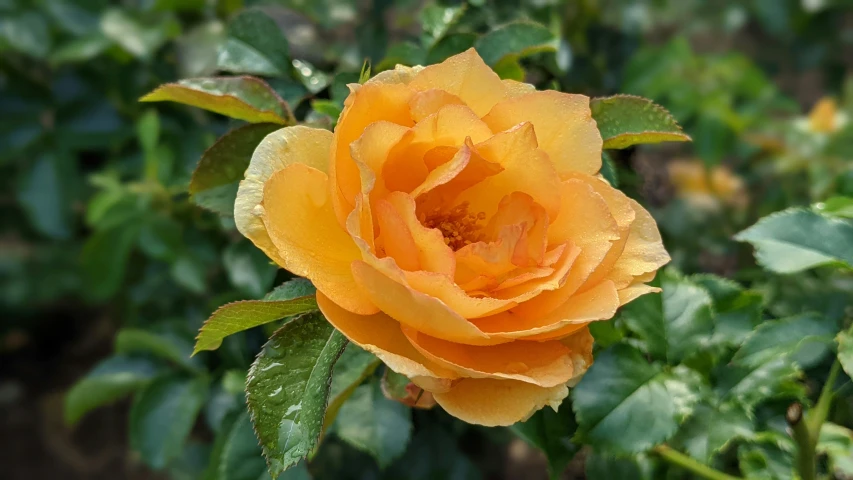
(290, 145)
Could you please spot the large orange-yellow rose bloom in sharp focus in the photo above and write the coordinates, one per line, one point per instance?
(455, 226)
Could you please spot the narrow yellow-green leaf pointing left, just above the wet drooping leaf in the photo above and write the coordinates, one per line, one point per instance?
(243, 315)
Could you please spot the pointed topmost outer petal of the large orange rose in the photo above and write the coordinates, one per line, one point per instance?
(466, 76)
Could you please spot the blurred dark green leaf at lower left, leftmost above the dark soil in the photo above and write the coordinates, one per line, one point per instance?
(109, 381)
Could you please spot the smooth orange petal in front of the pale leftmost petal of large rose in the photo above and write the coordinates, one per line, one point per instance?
(301, 224)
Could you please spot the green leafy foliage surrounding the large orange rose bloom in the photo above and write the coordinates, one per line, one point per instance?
(105, 228)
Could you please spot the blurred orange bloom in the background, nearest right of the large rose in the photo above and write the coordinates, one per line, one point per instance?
(706, 188)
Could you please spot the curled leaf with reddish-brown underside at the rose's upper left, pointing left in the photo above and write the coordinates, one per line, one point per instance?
(243, 98)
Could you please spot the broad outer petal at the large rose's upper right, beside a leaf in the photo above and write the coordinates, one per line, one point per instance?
(564, 127)
